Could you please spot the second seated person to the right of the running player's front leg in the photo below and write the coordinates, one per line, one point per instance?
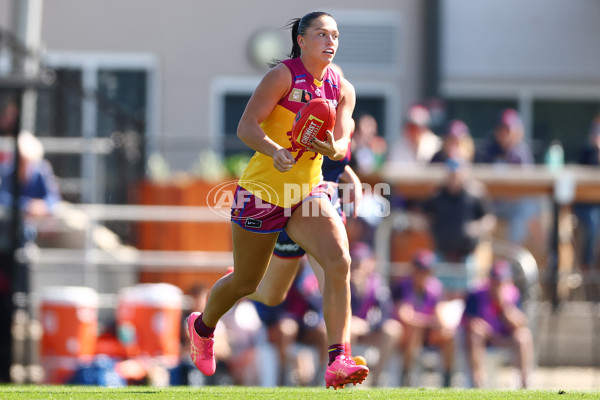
(417, 300)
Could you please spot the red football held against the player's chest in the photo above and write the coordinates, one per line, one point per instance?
(312, 121)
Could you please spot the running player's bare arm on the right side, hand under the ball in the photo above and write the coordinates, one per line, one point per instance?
(337, 142)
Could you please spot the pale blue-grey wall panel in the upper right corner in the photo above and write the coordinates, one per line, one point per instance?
(556, 40)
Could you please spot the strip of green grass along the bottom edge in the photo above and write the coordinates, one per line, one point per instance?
(252, 393)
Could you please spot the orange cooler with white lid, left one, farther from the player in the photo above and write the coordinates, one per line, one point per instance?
(69, 317)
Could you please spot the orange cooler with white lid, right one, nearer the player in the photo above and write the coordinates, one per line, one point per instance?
(149, 320)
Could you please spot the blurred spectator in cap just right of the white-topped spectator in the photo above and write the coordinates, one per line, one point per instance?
(457, 143)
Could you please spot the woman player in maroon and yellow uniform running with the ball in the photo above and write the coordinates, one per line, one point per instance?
(282, 188)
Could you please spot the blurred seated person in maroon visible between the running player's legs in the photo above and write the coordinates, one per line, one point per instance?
(298, 319)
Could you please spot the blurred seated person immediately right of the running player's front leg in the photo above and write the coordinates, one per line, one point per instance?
(372, 307)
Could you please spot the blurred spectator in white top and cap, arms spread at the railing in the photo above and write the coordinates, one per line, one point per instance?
(418, 143)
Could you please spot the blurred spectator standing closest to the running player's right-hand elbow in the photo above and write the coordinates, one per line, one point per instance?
(368, 148)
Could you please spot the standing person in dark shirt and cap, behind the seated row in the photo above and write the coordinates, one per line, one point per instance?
(459, 218)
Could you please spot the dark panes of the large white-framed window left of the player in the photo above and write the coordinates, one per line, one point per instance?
(120, 101)
